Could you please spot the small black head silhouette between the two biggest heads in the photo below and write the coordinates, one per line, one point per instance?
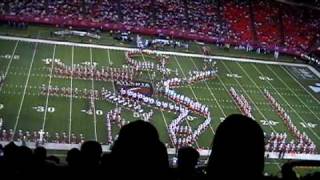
(187, 158)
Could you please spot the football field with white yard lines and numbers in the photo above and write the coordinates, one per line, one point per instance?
(24, 108)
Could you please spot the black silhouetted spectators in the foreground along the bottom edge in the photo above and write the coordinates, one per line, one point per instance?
(138, 153)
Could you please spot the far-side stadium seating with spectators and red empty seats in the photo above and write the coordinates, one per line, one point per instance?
(263, 23)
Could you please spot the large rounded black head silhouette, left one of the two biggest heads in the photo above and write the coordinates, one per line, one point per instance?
(139, 152)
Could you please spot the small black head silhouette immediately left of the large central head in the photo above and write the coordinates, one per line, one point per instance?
(91, 153)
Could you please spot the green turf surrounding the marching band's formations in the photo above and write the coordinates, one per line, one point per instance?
(289, 91)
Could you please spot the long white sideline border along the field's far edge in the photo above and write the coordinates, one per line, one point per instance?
(159, 52)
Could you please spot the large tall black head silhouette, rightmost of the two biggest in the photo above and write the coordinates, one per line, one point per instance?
(237, 149)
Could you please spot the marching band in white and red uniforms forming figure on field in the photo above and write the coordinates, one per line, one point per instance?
(180, 135)
